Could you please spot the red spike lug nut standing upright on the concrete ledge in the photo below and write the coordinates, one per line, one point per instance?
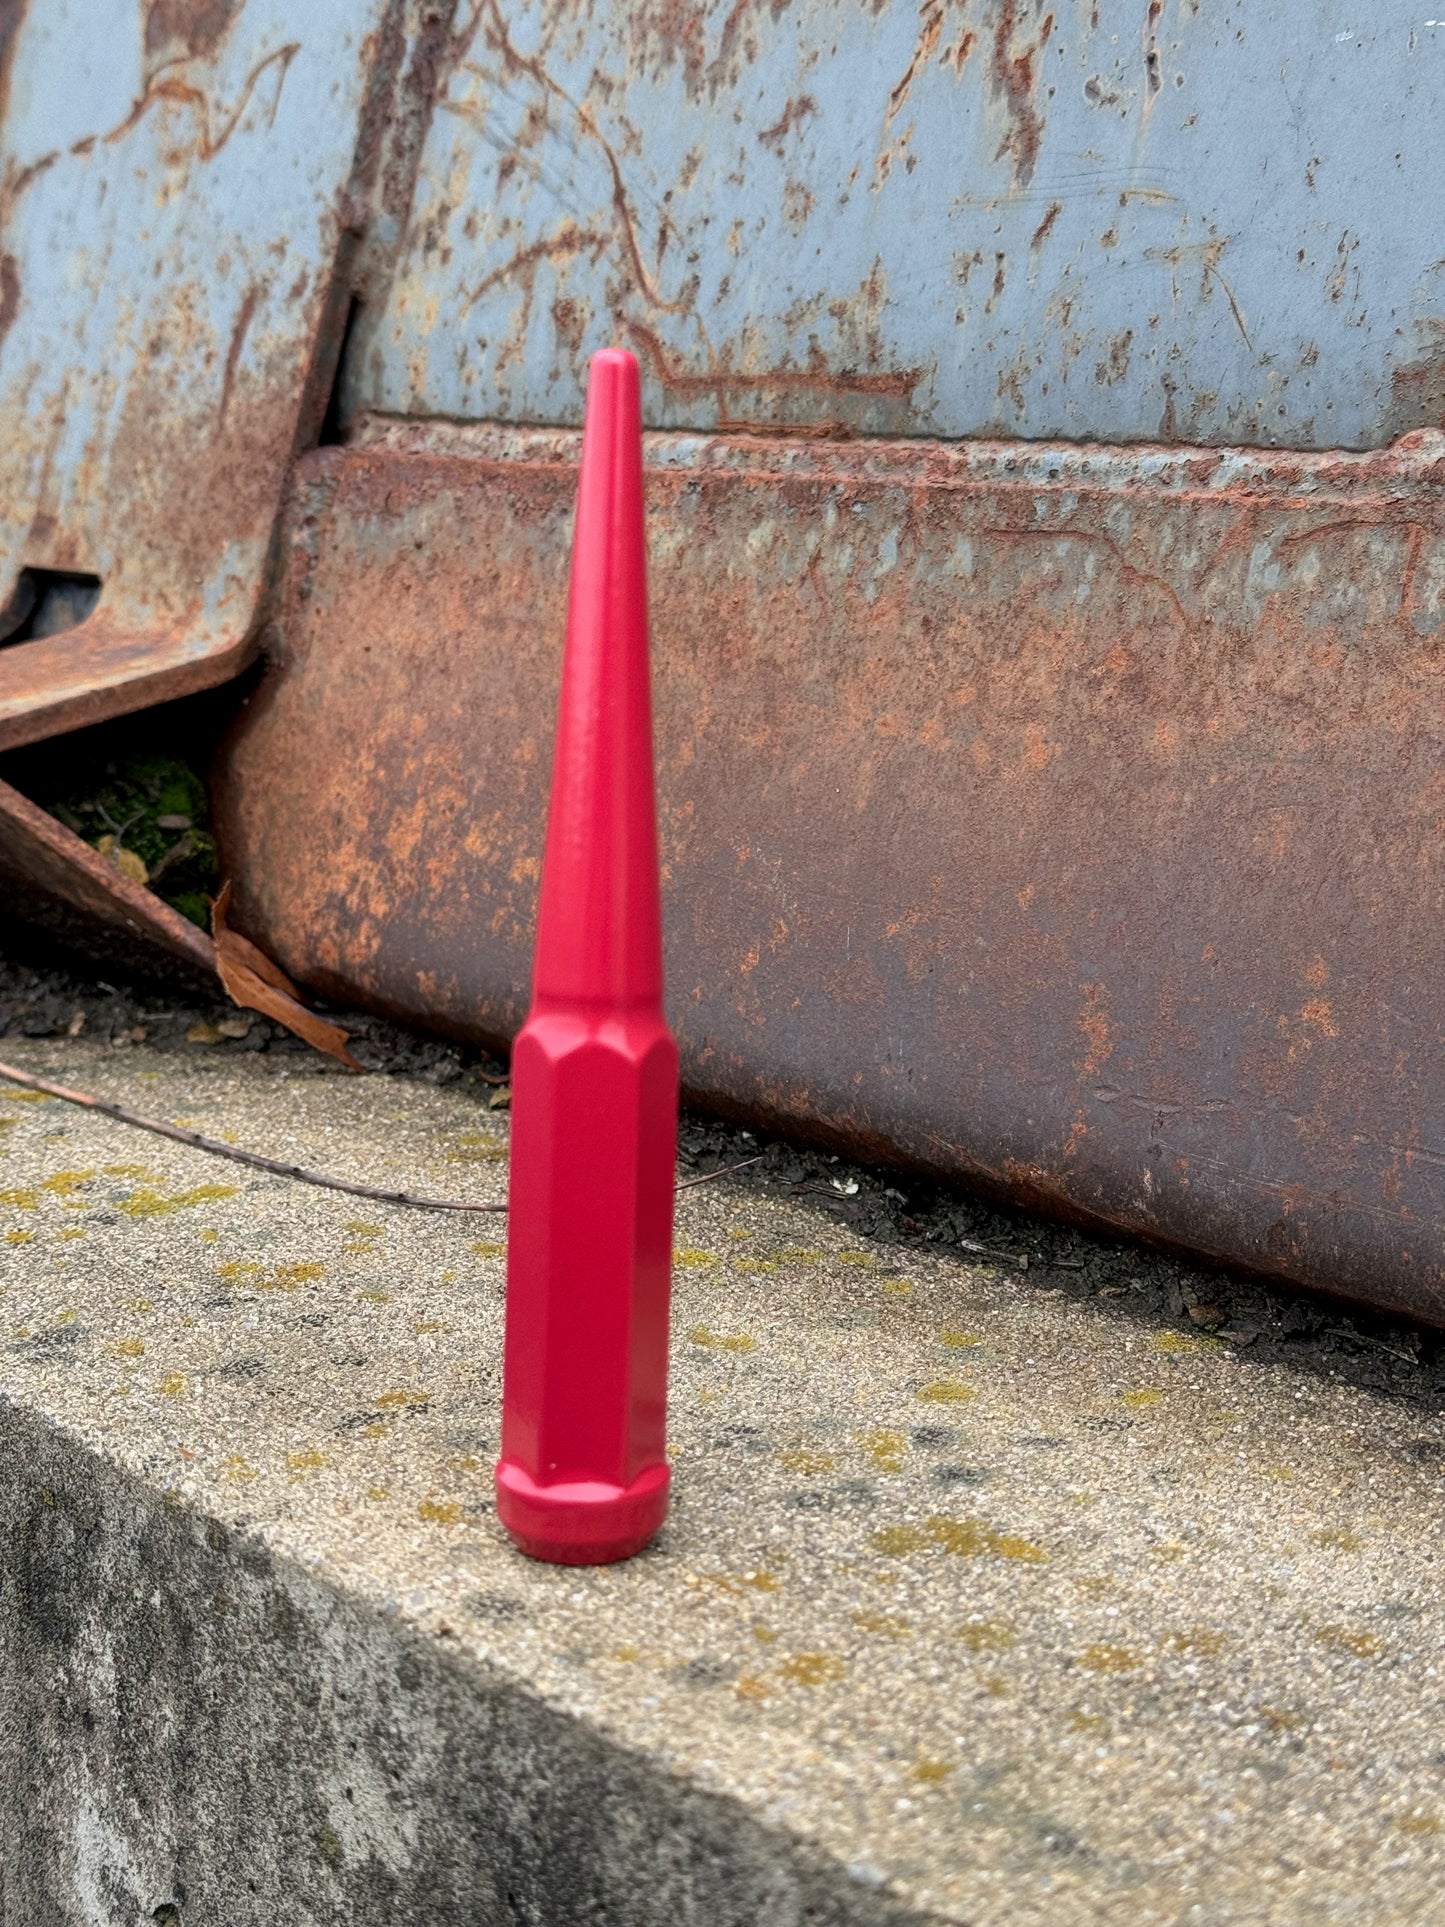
(583, 1475)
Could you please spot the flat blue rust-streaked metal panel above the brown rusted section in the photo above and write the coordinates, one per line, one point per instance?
(1080, 219)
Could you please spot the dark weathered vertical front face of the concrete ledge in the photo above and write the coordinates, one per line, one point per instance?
(197, 1724)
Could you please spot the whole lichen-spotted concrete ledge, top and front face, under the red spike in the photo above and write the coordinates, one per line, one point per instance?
(978, 1602)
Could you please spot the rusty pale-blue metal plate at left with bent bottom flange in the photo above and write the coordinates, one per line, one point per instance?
(178, 182)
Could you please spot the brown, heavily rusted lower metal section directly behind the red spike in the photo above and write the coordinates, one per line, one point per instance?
(1064, 820)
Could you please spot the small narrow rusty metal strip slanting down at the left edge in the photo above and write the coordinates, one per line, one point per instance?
(55, 878)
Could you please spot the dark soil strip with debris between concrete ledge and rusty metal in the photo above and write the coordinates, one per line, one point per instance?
(1267, 1323)
